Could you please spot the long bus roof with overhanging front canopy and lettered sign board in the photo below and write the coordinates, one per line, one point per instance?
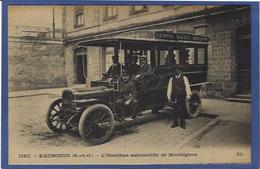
(147, 39)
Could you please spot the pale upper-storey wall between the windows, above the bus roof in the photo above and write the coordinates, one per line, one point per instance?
(95, 23)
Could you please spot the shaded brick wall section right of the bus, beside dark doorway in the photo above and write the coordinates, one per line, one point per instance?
(222, 51)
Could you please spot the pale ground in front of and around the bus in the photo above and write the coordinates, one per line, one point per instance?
(224, 126)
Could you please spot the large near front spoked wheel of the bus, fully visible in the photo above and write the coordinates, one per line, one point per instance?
(96, 124)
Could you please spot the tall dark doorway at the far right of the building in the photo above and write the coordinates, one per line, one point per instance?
(243, 56)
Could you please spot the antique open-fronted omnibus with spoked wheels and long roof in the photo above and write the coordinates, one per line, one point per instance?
(93, 111)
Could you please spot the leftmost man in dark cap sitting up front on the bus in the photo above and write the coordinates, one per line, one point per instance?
(114, 70)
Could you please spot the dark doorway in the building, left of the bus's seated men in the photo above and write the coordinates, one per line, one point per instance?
(80, 56)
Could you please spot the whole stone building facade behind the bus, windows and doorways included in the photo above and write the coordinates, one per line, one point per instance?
(228, 29)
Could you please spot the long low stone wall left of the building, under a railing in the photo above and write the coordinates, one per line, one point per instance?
(35, 64)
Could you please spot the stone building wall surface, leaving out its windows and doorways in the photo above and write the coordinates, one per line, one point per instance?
(220, 27)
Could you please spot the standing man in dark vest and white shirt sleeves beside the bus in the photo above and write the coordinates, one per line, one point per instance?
(178, 92)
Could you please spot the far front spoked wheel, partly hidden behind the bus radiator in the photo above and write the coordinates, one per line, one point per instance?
(55, 118)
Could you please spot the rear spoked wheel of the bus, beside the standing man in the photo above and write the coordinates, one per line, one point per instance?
(194, 105)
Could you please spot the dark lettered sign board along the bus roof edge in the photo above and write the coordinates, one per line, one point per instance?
(180, 36)
